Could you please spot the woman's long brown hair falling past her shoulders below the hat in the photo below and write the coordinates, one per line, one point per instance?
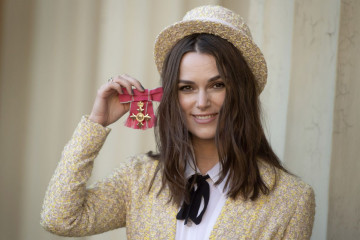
(239, 138)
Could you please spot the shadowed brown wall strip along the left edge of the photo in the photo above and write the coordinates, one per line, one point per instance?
(15, 41)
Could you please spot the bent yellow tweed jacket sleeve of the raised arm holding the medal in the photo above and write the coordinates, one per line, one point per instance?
(72, 209)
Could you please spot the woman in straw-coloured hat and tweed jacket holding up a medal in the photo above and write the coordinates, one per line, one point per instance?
(215, 175)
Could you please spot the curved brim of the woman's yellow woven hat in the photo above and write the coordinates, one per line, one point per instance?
(252, 54)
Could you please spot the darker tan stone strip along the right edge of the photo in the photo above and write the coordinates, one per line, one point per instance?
(344, 191)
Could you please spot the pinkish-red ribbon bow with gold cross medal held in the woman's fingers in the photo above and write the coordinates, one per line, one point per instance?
(141, 108)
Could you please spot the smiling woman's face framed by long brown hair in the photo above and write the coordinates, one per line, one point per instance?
(201, 94)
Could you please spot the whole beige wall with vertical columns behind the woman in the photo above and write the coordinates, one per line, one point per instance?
(54, 54)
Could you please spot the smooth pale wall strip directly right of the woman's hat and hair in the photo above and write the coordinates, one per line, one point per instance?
(277, 48)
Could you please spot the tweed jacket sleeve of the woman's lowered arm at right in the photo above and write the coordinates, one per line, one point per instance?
(301, 223)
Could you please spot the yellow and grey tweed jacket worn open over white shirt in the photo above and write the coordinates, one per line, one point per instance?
(123, 200)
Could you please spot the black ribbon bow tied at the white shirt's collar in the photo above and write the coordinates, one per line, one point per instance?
(190, 211)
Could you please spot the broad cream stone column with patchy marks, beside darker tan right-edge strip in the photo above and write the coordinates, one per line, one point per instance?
(311, 99)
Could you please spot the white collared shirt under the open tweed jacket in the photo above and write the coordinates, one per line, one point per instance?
(216, 202)
